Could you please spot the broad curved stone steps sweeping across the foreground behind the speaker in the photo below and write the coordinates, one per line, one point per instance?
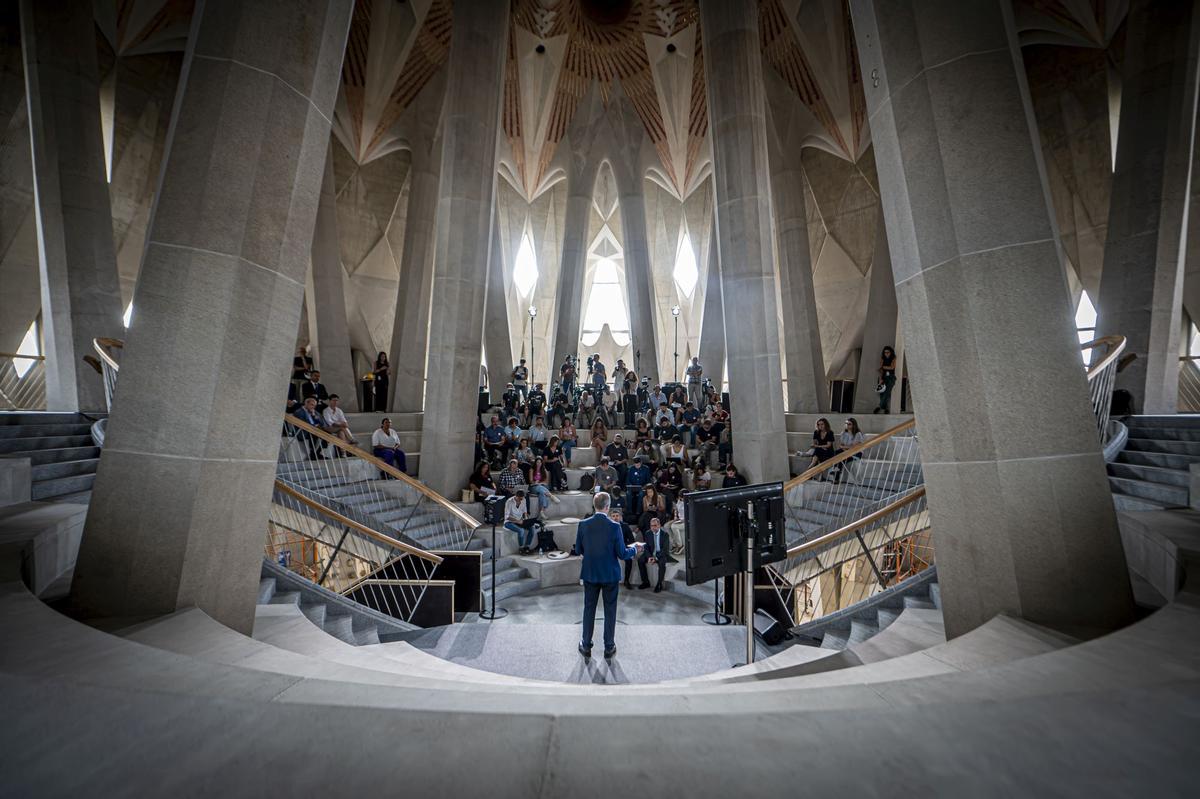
(185, 704)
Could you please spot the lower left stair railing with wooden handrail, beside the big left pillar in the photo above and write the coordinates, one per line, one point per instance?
(344, 556)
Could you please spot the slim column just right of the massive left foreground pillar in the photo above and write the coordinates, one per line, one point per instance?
(334, 358)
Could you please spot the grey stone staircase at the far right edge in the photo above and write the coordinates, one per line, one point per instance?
(1151, 473)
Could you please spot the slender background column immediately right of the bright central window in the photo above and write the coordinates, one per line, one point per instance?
(632, 202)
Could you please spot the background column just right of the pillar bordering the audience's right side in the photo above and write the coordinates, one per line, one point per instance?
(807, 392)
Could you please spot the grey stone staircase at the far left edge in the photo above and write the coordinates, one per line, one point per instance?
(61, 450)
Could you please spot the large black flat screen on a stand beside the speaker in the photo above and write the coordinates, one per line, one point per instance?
(718, 522)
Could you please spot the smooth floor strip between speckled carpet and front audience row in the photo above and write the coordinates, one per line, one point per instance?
(565, 605)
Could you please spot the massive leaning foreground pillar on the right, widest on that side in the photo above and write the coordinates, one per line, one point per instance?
(1018, 495)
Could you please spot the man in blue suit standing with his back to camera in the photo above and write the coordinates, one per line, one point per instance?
(599, 540)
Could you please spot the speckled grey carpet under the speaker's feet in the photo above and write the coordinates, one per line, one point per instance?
(547, 652)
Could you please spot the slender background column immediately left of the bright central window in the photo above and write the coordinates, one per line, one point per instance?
(574, 266)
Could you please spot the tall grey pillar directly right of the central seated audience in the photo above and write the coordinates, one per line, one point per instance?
(737, 112)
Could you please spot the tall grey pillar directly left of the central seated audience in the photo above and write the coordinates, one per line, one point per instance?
(475, 87)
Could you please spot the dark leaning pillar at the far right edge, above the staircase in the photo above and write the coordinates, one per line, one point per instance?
(1142, 286)
